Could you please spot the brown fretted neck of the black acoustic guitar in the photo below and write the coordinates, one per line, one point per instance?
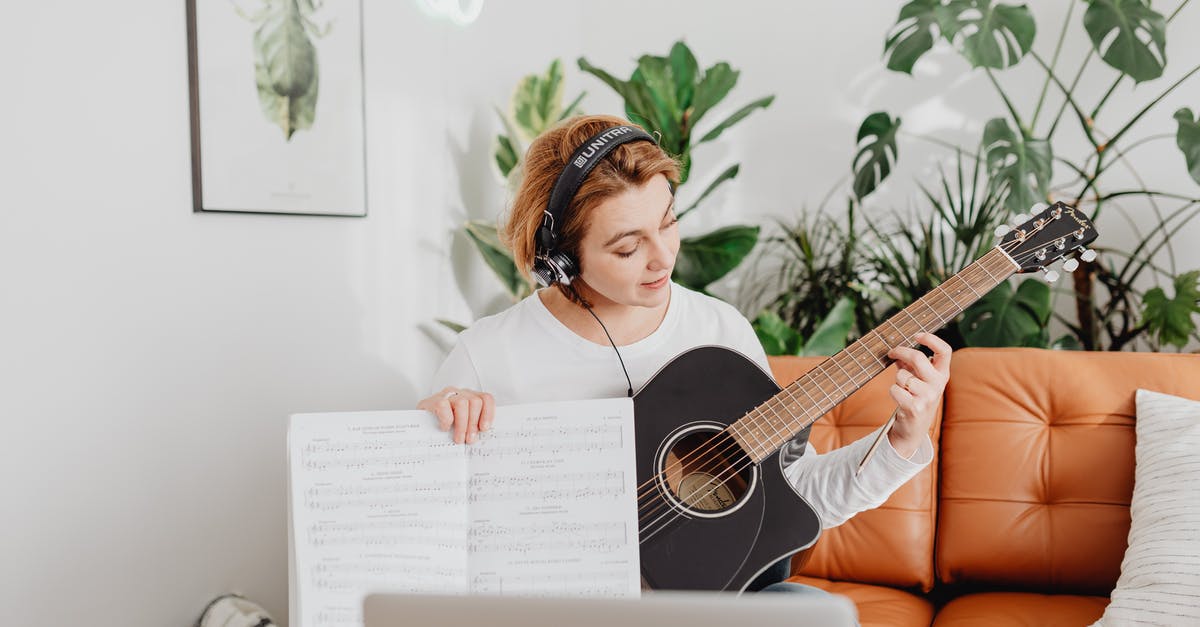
(772, 425)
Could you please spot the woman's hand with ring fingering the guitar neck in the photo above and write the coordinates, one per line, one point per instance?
(917, 391)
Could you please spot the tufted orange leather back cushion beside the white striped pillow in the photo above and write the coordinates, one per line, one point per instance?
(1037, 464)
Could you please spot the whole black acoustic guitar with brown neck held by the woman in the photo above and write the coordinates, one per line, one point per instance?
(715, 507)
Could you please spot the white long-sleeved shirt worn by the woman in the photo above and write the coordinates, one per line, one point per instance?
(526, 355)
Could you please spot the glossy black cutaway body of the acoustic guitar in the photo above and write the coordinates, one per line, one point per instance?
(723, 541)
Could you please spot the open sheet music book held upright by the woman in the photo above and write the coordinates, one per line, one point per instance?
(544, 504)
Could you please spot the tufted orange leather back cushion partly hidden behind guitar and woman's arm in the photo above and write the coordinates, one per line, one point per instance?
(892, 545)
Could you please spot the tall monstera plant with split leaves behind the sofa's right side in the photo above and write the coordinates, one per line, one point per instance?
(1019, 156)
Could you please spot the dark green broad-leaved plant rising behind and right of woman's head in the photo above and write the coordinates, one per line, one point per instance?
(670, 97)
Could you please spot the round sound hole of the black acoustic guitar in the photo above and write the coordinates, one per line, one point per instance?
(707, 471)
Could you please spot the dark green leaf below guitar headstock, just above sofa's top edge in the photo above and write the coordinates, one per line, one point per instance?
(1004, 318)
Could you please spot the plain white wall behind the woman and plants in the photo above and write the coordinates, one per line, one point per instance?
(149, 356)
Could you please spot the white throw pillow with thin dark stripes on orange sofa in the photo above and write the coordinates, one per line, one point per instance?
(1160, 581)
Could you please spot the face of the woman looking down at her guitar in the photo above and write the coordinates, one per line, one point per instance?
(631, 247)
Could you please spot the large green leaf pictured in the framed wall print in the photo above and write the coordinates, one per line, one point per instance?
(286, 70)
